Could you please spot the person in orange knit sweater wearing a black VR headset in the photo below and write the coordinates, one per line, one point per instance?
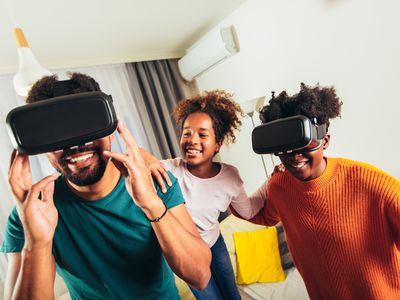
(341, 217)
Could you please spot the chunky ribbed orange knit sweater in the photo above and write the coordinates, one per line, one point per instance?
(342, 228)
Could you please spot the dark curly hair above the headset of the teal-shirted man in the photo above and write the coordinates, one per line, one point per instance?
(44, 87)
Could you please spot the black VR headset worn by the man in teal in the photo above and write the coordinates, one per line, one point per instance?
(61, 122)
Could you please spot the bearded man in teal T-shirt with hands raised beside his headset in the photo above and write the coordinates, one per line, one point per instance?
(108, 231)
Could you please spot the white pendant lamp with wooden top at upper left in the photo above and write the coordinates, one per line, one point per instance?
(29, 69)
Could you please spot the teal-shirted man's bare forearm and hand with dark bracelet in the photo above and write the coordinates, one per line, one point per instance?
(186, 253)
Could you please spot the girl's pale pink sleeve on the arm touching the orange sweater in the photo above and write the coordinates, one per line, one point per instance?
(247, 206)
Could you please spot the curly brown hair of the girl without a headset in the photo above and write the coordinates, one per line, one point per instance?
(225, 113)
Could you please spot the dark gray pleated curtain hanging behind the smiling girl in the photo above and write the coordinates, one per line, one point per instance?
(156, 87)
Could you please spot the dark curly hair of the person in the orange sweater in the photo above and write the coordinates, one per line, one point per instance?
(313, 102)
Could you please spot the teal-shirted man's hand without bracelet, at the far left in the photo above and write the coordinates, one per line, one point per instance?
(38, 216)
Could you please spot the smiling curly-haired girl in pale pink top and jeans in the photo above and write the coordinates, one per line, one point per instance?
(206, 122)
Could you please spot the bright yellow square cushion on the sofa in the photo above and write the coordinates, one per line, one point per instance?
(257, 256)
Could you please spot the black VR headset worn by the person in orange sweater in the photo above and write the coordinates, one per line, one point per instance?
(281, 136)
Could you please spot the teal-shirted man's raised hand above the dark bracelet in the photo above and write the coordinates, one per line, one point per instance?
(137, 175)
